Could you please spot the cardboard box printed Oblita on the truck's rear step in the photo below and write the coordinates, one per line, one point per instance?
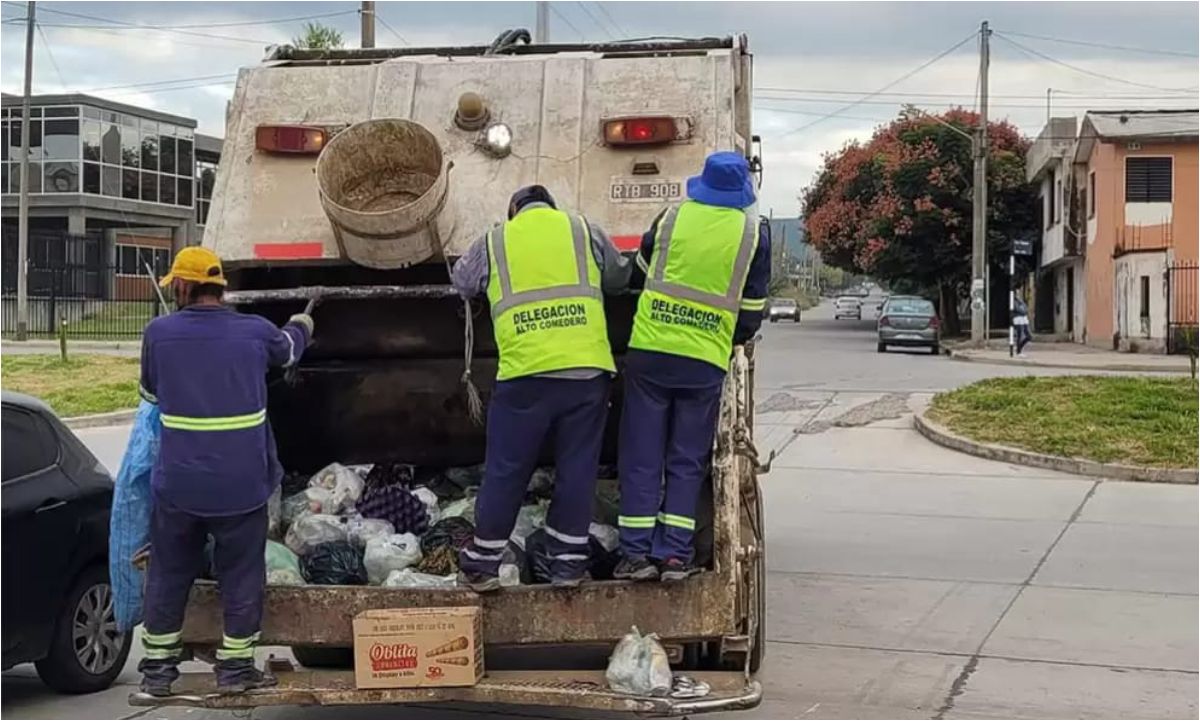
(406, 648)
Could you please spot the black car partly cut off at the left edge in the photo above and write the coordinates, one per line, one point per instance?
(58, 600)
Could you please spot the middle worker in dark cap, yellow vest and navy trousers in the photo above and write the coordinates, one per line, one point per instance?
(544, 273)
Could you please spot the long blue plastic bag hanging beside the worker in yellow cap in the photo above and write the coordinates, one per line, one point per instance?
(129, 528)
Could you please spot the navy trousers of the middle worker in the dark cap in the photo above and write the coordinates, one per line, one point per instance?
(523, 416)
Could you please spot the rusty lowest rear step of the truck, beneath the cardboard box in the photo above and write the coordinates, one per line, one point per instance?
(562, 689)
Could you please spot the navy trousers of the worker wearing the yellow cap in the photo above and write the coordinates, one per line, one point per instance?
(177, 560)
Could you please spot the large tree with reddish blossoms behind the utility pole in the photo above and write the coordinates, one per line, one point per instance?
(899, 206)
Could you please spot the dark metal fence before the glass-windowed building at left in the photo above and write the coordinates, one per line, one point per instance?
(76, 283)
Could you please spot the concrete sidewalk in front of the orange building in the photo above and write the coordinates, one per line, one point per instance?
(1073, 356)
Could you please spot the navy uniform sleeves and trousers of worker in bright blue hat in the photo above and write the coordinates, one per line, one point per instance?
(669, 420)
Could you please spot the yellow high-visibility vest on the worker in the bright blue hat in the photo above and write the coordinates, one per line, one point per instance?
(694, 283)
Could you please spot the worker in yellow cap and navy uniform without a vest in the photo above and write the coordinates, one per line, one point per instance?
(206, 366)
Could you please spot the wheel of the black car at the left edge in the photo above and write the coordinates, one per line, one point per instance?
(87, 654)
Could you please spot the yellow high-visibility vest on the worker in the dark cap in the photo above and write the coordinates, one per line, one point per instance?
(544, 287)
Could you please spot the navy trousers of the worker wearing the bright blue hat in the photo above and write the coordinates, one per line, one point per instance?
(667, 441)
